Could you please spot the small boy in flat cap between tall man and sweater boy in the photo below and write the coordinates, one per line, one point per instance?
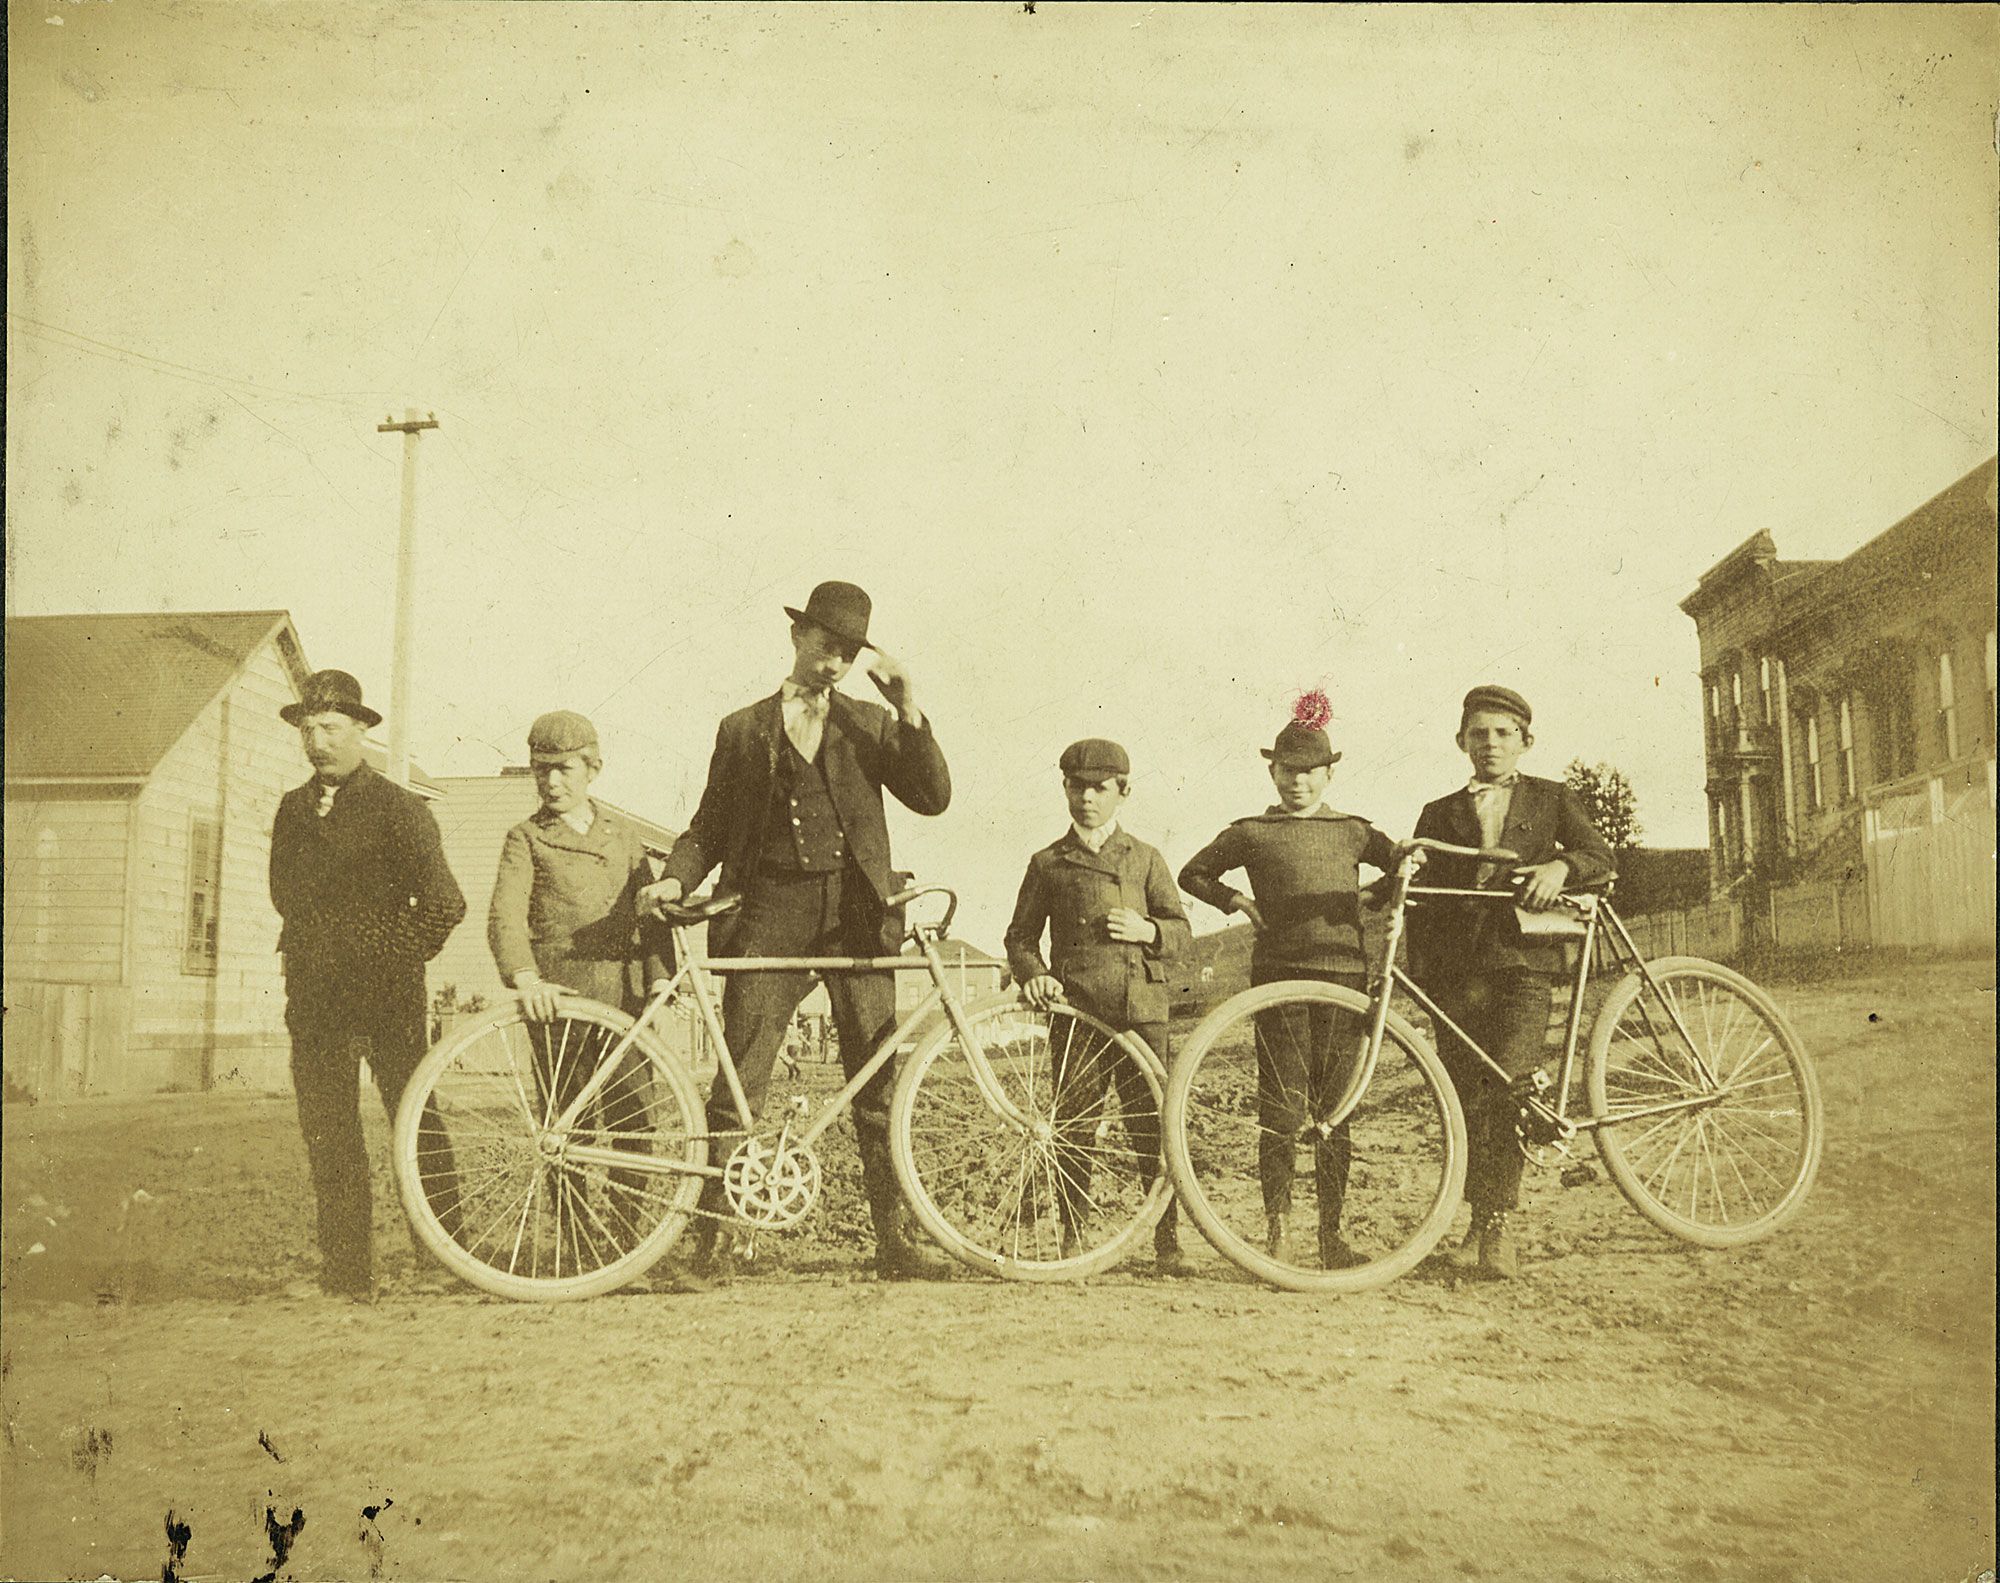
(1113, 926)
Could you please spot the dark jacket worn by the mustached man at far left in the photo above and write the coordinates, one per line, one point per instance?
(365, 894)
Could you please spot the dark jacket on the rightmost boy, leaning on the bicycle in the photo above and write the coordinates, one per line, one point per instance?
(1449, 940)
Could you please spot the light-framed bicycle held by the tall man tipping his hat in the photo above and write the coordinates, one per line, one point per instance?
(563, 1160)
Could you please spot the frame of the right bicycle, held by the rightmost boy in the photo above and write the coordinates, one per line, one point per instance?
(1597, 910)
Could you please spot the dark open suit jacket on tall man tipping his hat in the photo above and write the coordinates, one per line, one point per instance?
(863, 753)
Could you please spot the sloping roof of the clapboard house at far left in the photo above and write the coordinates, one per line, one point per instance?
(105, 697)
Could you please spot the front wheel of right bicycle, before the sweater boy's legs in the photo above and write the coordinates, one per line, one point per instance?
(1291, 1172)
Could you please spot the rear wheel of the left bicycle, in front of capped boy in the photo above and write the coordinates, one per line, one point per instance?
(517, 1204)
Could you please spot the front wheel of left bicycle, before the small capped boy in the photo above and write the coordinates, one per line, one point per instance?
(1069, 1182)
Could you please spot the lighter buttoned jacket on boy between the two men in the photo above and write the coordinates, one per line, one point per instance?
(565, 906)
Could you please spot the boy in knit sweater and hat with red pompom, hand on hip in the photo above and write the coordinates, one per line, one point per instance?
(1301, 860)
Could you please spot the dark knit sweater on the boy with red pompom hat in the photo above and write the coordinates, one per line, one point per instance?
(1305, 880)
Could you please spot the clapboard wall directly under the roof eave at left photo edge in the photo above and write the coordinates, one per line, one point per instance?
(65, 888)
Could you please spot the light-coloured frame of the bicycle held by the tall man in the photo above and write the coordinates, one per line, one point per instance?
(697, 974)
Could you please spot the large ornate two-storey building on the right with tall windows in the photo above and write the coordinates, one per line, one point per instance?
(1839, 693)
